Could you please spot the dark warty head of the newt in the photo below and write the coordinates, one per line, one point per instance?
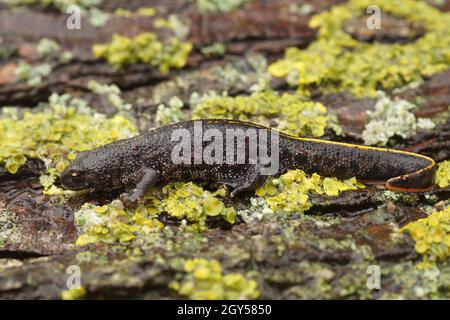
(90, 170)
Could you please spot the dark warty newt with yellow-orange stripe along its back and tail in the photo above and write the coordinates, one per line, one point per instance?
(139, 162)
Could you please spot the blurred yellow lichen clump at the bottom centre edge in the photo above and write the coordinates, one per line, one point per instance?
(204, 279)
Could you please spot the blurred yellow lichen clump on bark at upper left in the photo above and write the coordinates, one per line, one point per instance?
(144, 48)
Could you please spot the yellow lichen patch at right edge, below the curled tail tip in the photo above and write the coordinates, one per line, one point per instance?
(432, 237)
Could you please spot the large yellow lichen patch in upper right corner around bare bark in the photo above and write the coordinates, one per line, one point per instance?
(337, 62)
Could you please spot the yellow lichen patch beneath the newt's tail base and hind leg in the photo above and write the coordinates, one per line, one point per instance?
(290, 192)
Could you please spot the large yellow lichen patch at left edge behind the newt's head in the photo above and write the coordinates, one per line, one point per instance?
(57, 133)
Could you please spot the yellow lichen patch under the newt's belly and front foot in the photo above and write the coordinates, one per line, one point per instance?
(188, 203)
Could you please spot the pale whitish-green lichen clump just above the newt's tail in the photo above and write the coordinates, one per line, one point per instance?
(393, 118)
